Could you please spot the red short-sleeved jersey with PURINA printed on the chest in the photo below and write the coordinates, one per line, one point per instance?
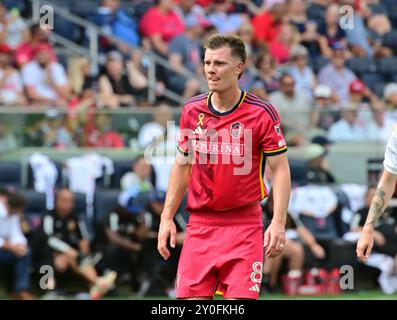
(229, 151)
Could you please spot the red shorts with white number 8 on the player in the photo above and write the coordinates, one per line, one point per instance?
(222, 251)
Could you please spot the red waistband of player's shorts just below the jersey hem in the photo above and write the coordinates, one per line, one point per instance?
(247, 215)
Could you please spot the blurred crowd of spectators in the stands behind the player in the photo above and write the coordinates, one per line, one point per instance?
(324, 76)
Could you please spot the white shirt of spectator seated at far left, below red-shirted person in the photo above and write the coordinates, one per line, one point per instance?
(34, 75)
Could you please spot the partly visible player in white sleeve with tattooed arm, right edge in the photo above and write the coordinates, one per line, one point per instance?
(384, 192)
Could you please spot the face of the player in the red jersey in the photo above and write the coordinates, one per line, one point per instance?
(221, 69)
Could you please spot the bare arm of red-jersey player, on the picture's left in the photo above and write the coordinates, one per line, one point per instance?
(177, 187)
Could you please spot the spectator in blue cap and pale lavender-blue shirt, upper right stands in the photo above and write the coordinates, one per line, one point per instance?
(336, 75)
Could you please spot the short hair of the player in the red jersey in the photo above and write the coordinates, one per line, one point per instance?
(237, 46)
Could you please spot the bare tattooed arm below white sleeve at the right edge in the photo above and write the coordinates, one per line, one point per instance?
(379, 203)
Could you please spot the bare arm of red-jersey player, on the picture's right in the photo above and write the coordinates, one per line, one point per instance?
(275, 233)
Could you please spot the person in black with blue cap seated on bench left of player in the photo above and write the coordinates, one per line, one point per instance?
(125, 231)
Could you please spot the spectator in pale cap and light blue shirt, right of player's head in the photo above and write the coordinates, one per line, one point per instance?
(303, 75)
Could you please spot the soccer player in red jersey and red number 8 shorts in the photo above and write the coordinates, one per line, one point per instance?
(225, 137)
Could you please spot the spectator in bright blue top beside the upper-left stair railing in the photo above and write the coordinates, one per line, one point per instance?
(114, 20)
